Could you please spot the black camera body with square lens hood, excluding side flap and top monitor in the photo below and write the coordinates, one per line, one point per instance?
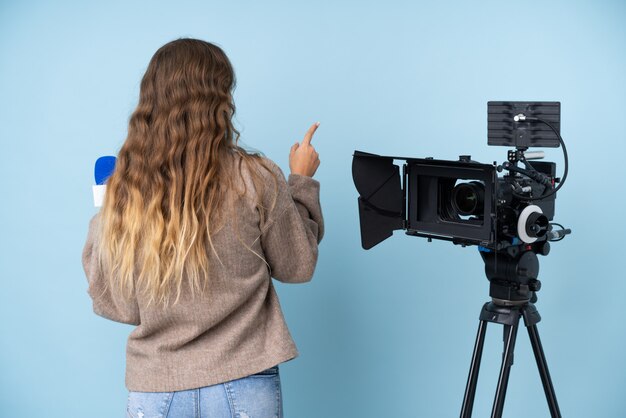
(467, 202)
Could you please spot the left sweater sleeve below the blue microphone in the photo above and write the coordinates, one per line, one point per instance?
(106, 303)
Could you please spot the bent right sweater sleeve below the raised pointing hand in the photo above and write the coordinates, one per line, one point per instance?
(294, 229)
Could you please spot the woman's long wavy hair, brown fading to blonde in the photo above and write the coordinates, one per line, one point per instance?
(165, 198)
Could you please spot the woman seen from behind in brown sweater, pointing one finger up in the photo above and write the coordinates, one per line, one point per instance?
(190, 233)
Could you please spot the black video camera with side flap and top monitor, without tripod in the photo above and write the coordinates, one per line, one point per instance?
(465, 201)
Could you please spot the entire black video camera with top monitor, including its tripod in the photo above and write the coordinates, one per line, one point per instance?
(509, 218)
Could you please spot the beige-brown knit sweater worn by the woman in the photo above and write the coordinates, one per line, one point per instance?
(237, 328)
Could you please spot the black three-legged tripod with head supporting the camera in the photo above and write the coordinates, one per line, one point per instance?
(513, 283)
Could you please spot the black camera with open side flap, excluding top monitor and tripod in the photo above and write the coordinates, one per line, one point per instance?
(462, 201)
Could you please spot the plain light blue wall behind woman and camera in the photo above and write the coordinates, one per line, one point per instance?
(382, 333)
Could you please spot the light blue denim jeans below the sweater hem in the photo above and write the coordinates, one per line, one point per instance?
(255, 396)
